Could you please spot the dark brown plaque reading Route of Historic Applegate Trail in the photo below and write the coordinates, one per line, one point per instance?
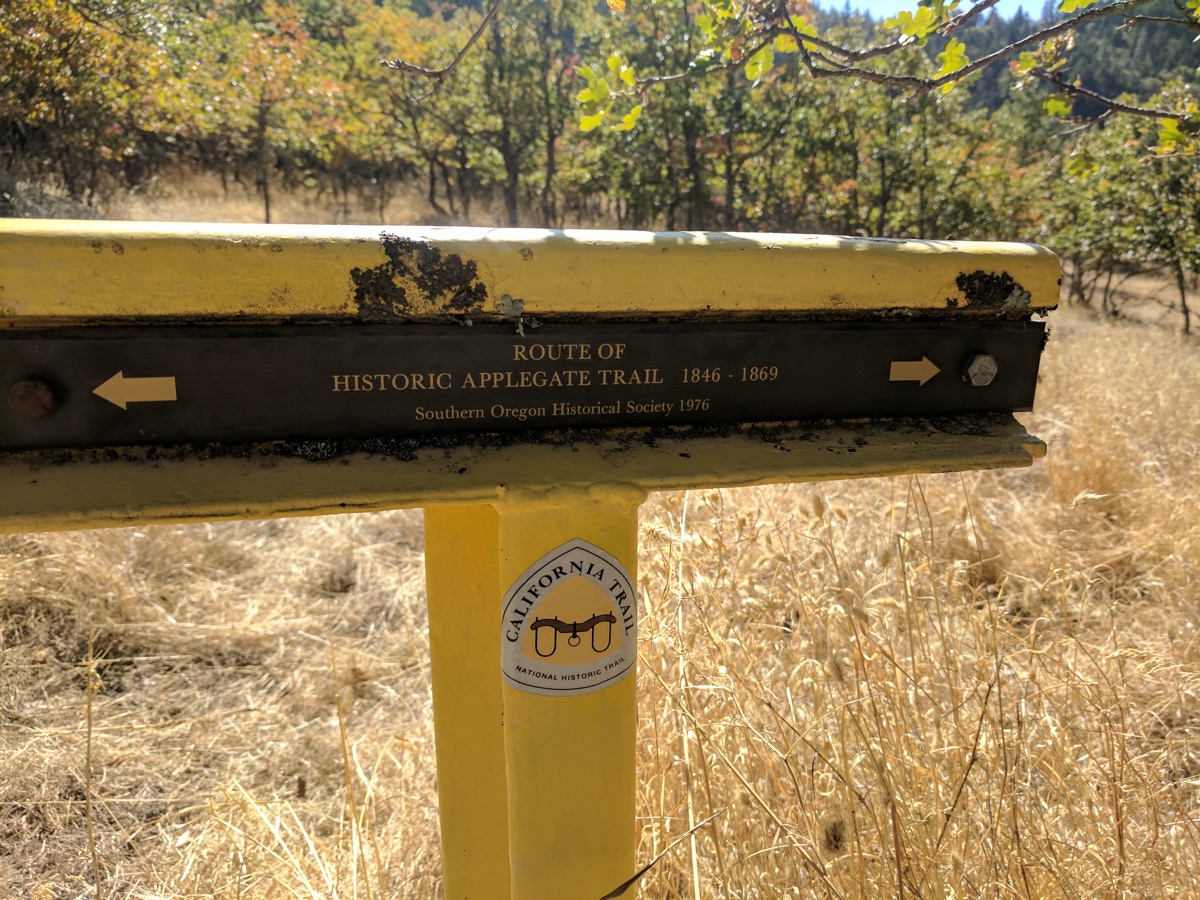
(97, 387)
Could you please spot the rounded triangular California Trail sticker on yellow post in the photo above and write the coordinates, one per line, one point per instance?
(571, 623)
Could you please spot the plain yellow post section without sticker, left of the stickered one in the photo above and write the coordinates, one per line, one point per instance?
(464, 589)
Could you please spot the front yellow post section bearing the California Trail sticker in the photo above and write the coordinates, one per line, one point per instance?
(569, 559)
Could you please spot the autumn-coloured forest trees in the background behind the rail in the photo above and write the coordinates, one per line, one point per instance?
(103, 97)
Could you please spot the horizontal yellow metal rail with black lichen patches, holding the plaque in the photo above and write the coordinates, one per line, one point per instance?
(95, 280)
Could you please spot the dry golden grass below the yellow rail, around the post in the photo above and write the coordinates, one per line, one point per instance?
(973, 686)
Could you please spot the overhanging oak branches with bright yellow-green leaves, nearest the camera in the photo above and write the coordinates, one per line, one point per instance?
(754, 34)
